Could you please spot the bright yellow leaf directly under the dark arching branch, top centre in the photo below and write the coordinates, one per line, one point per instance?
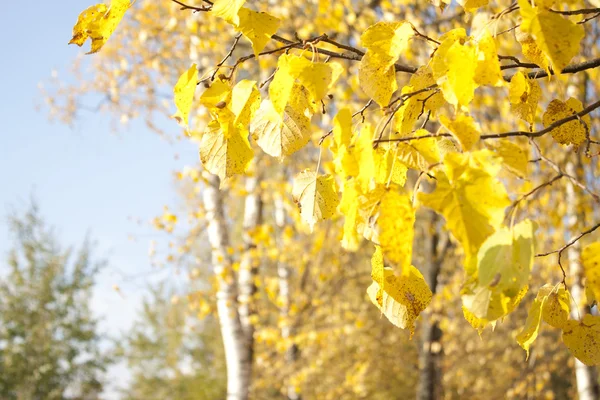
(317, 77)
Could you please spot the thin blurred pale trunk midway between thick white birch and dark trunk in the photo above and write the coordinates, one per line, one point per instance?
(283, 271)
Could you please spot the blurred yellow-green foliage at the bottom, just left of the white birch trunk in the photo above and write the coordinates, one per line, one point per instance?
(173, 355)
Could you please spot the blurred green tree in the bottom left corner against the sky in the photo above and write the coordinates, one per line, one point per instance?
(50, 347)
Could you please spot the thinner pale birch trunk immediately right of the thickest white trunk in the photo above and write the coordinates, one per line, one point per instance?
(249, 263)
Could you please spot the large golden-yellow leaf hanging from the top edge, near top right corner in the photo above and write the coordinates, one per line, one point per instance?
(556, 36)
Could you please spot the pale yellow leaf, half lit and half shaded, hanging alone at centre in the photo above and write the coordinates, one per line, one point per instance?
(316, 197)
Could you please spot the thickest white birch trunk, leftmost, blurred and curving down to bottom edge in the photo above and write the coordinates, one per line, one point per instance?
(238, 367)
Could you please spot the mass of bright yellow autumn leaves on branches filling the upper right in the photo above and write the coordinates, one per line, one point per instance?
(369, 116)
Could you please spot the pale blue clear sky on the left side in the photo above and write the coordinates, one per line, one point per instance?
(86, 179)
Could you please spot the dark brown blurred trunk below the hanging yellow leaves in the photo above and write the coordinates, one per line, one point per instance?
(430, 349)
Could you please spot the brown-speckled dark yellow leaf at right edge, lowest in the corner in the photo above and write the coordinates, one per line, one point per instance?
(582, 338)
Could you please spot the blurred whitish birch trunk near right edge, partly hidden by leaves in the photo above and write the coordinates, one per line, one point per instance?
(587, 381)
